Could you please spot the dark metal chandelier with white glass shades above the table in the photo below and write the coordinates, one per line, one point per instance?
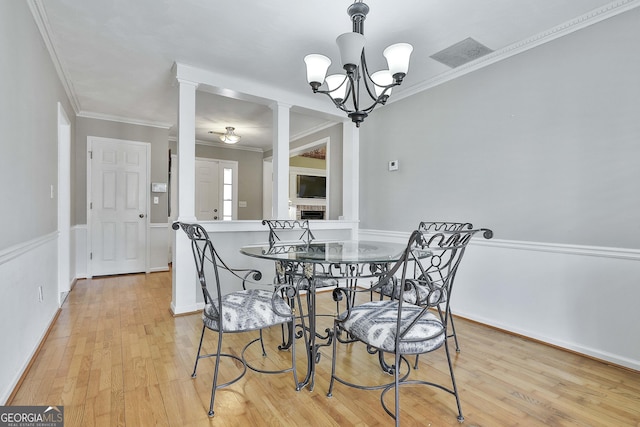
(344, 89)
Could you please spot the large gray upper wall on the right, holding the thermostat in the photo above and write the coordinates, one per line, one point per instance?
(543, 146)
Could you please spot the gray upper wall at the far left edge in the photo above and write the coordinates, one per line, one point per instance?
(30, 91)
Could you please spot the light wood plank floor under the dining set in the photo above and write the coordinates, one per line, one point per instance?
(116, 356)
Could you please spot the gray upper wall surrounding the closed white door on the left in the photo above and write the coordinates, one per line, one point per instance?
(158, 139)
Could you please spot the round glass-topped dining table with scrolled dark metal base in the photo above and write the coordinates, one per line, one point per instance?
(347, 260)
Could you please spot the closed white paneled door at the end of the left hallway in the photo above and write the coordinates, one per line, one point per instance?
(118, 206)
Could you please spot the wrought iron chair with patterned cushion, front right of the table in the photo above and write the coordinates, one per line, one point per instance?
(401, 328)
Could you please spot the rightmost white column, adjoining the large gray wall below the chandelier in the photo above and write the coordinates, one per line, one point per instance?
(350, 171)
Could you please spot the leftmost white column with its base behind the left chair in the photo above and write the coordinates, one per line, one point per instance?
(184, 283)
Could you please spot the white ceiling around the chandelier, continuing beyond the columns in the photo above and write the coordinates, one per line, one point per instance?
(116, 56)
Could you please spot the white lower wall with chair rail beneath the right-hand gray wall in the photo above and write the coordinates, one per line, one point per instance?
(551, 293)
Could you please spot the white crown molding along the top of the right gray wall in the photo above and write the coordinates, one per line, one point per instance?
(612, 9)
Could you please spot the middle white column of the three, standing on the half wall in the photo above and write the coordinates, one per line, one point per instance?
(280, 160)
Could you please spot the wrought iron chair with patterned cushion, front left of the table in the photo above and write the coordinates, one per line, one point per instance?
(239, 311)
